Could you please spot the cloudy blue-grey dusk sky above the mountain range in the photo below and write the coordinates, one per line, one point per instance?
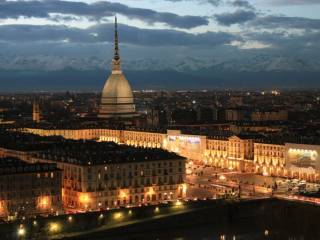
(160, 28)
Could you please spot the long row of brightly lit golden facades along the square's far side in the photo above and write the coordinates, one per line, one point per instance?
(234, 153)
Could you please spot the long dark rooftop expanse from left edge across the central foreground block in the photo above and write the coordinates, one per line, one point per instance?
(80, 152)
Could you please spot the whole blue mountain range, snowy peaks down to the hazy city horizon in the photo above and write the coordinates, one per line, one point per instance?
(35, 73)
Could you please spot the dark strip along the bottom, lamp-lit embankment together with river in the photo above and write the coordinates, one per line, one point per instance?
(212, 218)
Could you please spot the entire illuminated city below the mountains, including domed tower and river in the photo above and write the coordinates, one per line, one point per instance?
(159, 164)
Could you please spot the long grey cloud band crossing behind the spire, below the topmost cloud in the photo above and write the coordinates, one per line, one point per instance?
(104, 33)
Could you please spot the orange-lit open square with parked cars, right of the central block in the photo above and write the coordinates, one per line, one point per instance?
(208, 182)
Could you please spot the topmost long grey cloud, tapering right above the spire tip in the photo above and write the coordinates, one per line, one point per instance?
(95, 11)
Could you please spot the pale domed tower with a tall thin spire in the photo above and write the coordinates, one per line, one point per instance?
(117, 97)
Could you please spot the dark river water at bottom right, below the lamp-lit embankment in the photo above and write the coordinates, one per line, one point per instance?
(259, 219)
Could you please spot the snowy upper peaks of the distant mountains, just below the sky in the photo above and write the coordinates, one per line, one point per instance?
(257, 63)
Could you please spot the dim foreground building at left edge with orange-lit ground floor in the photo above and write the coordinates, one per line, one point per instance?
(29, 189)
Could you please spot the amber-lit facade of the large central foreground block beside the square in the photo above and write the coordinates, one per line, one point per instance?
(105, 186)
